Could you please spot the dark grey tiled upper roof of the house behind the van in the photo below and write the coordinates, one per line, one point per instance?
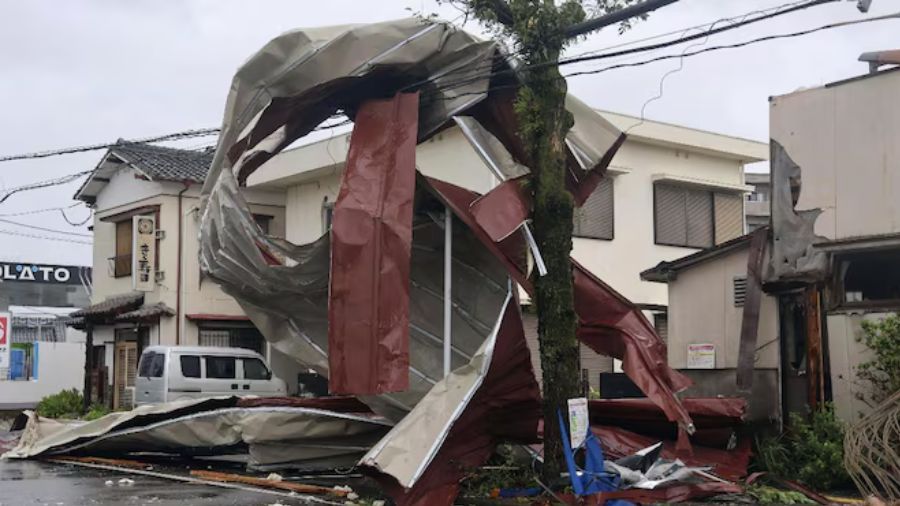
(166, 164)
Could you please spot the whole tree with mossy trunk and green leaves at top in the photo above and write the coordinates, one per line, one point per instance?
(536, 30)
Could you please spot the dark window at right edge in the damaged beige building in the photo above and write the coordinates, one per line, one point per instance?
(871, 278)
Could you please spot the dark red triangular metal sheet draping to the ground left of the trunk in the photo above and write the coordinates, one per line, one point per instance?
(506, 407)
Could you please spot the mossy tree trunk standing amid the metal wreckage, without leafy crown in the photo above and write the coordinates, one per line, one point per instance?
(544, 121)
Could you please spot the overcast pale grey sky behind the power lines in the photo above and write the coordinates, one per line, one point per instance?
(87, 71)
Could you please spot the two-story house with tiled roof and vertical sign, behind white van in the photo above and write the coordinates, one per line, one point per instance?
(147, 284)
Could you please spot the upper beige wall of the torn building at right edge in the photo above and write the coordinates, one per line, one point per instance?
(844, 138)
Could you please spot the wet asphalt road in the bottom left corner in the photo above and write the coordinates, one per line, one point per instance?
(39, 483)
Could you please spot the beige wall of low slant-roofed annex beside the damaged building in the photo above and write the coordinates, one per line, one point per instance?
(701, 310)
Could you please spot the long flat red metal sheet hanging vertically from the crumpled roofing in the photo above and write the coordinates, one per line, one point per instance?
(371, 236)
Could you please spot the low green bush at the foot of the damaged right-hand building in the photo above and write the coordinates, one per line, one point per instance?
(810, 451)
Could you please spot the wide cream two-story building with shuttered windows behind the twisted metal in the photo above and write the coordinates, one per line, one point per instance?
(670, 191)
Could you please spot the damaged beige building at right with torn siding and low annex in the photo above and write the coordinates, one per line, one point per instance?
(832, 259)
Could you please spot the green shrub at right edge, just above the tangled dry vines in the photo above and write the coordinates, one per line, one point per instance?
(883, 371)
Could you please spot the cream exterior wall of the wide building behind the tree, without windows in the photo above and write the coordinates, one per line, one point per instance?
(449, 157)
